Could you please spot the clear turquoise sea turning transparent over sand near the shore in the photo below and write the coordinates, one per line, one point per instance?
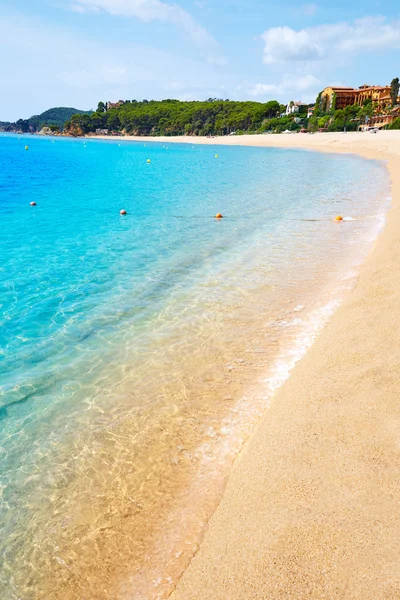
(137, 352)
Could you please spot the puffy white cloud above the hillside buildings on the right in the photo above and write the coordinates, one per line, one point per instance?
(285, 45)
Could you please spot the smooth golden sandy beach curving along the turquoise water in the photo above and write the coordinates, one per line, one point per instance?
(311, 506)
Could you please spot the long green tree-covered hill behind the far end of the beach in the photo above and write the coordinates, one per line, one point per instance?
(173, 117)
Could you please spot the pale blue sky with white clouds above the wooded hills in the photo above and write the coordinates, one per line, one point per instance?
(78, 52)
